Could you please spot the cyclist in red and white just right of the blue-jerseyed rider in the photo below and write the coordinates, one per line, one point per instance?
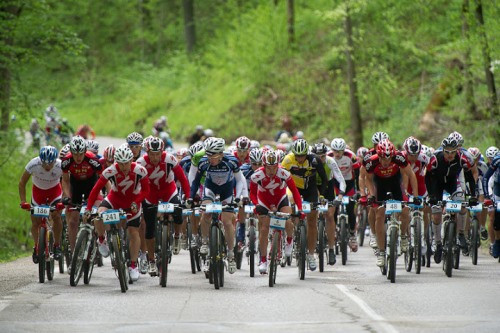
(268, 192)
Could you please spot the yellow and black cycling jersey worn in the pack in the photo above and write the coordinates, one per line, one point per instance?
(304, 174)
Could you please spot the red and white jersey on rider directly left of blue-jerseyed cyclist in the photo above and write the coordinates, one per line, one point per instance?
(162, 177)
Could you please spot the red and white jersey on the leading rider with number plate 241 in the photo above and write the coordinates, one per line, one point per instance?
(125, 189)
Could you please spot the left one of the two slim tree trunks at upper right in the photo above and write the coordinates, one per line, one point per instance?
(468, 84)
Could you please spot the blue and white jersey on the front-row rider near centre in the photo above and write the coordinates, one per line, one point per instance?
(217, 177)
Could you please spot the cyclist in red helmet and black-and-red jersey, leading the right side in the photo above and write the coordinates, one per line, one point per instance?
(385, 169)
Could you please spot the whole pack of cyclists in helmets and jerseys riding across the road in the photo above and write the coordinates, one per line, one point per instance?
(140, 173)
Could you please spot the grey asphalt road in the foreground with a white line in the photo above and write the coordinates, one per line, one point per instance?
(355, 297)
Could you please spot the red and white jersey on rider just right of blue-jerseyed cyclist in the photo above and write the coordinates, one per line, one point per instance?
(266, 191)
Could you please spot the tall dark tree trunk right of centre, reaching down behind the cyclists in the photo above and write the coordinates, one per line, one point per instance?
(357, 130)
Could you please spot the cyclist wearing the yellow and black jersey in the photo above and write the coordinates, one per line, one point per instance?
(304, 167)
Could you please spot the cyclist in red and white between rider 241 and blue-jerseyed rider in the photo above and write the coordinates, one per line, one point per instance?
(163, 171)
